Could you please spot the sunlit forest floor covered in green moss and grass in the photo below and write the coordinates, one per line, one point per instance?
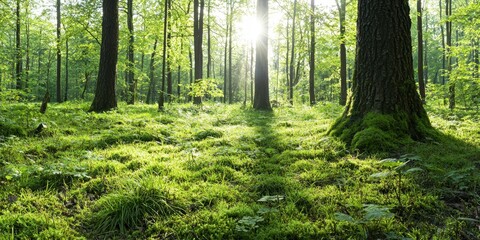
(225, 172)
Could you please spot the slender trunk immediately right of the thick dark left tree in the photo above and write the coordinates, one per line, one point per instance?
(131, 83)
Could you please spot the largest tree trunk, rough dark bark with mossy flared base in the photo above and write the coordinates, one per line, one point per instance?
(384, 110)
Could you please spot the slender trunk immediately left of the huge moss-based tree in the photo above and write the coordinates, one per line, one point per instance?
(343, 53)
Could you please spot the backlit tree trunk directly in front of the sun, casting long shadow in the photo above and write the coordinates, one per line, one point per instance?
(262, 99)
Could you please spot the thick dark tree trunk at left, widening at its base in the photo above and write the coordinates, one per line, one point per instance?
(105, 98)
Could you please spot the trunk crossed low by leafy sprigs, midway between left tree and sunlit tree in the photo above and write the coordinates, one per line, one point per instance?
(198, 13)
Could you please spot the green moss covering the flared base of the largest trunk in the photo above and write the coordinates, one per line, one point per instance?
(377, 132)
